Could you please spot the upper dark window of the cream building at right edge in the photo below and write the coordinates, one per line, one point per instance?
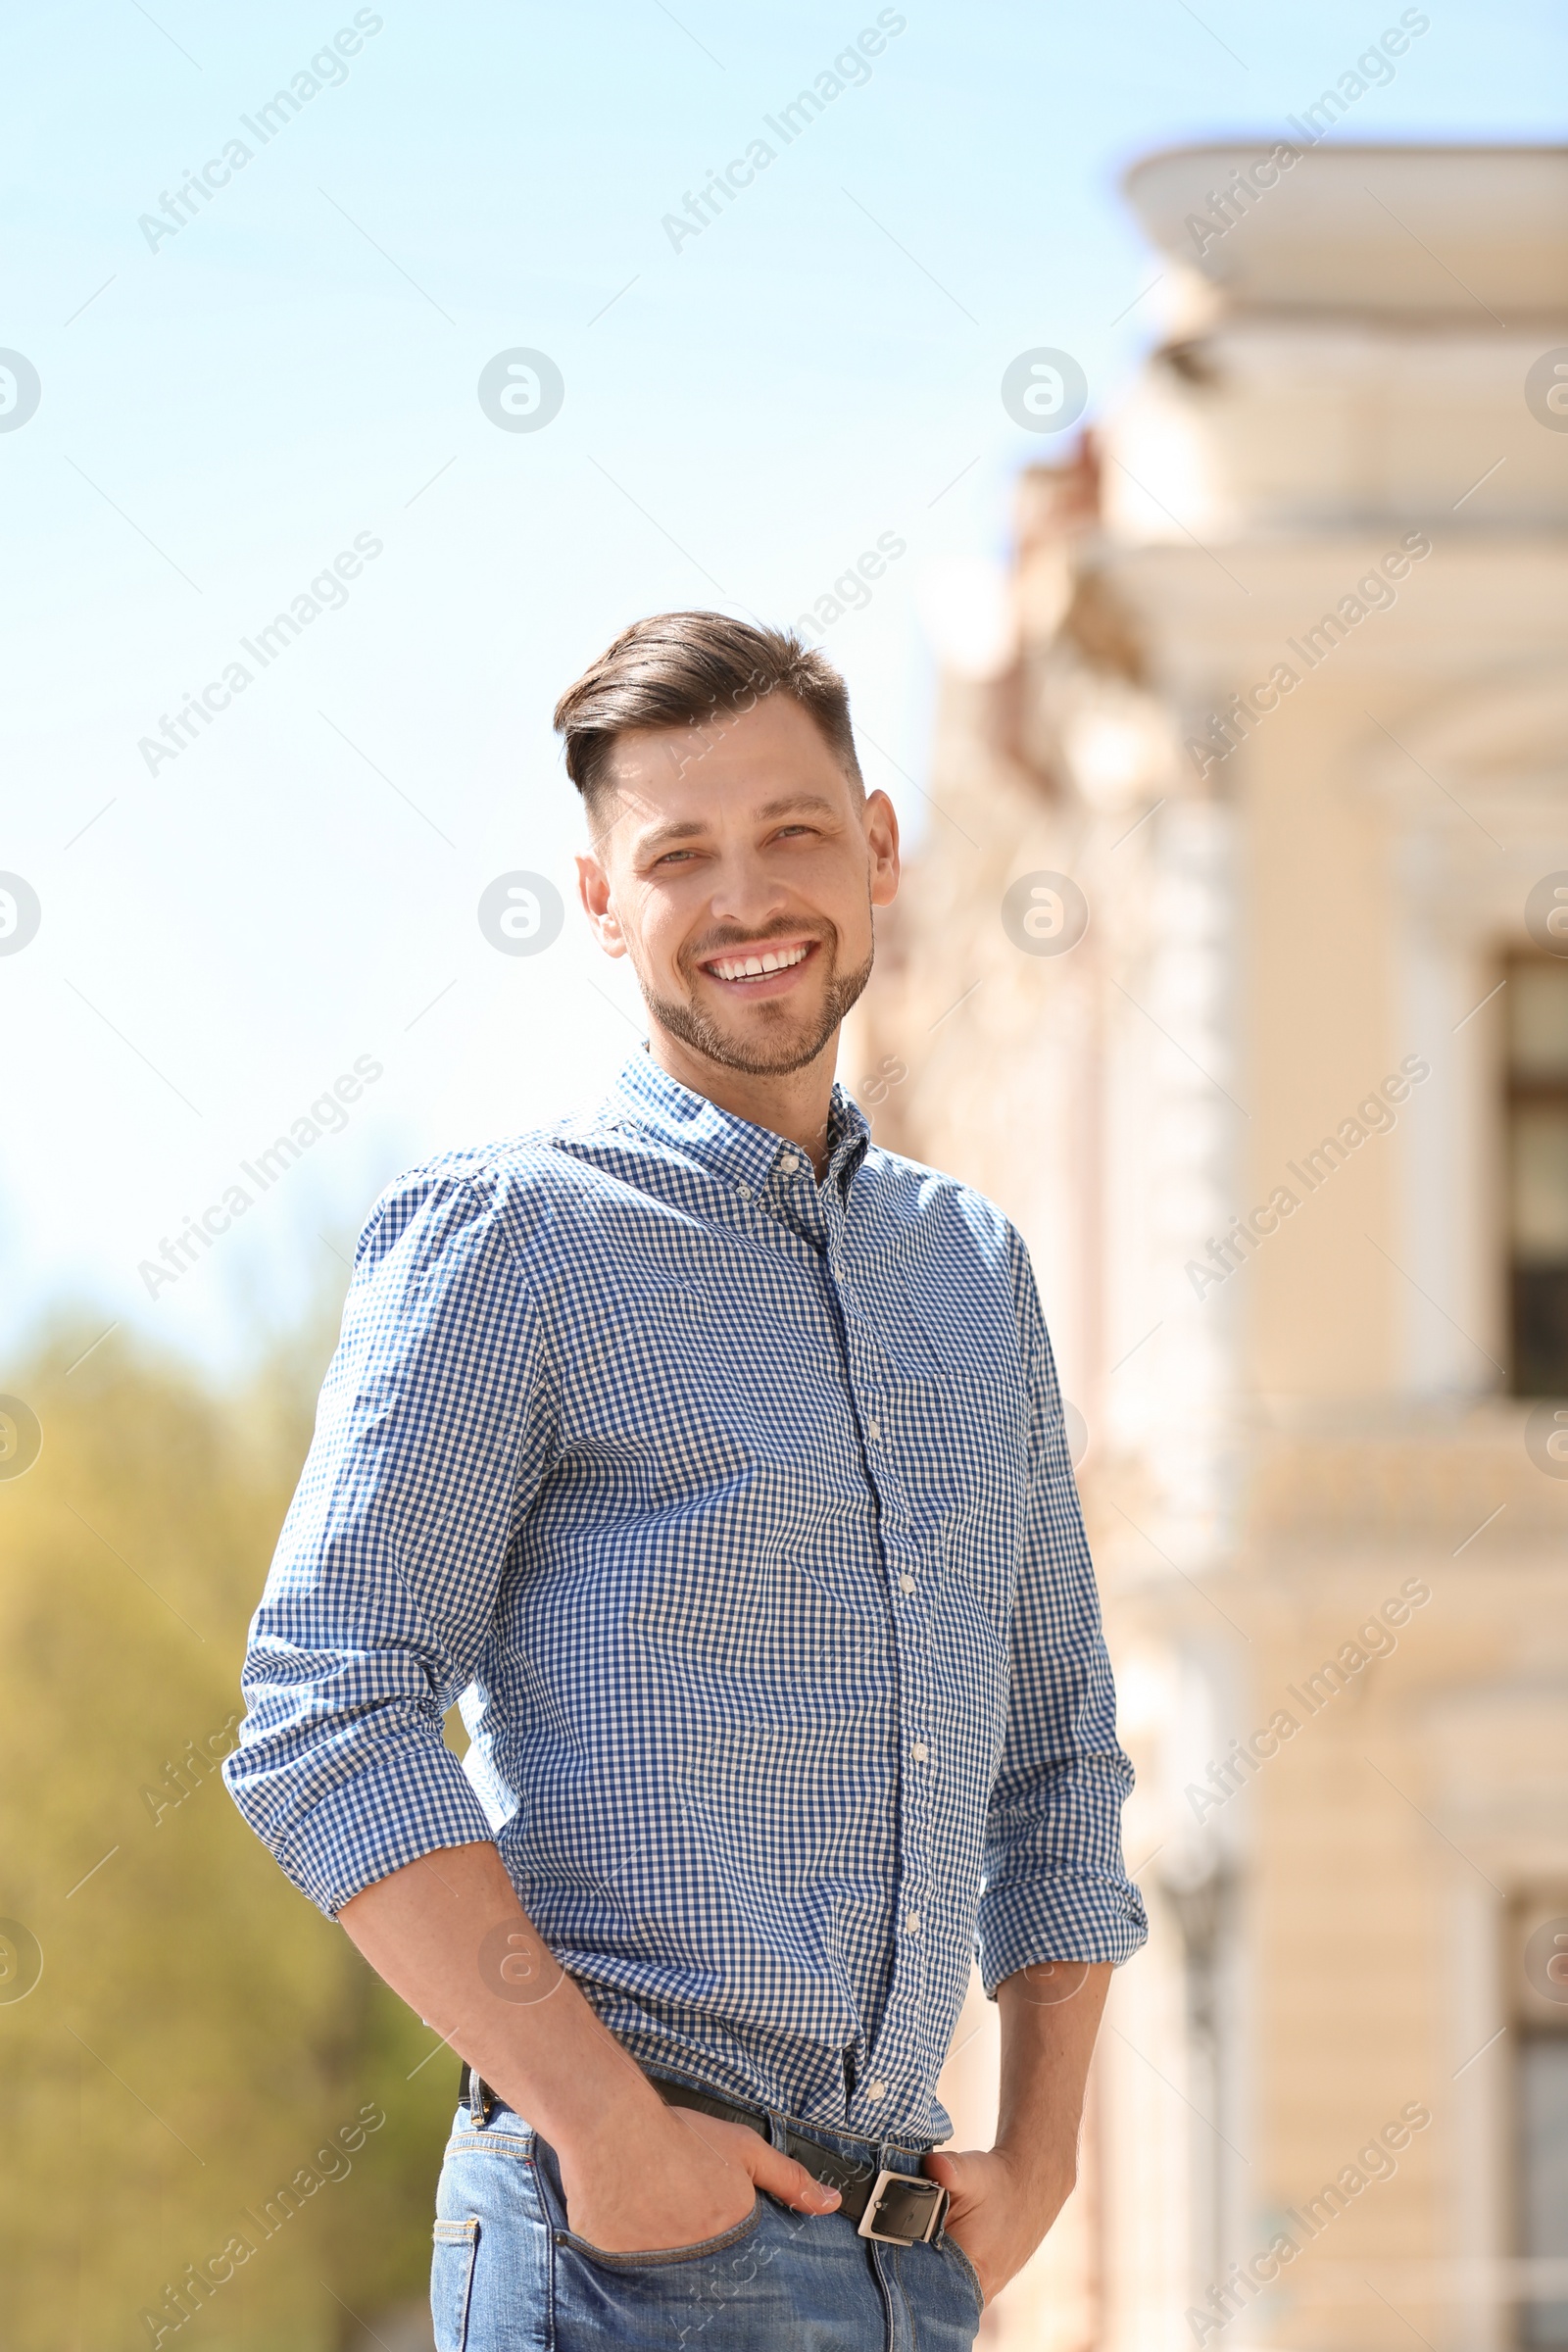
(1536, 1013)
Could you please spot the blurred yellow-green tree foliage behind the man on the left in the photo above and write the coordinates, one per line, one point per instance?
(199, 2038)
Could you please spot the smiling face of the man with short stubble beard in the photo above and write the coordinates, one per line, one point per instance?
(739, 871)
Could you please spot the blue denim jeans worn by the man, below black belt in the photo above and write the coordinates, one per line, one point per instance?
(511, 2278)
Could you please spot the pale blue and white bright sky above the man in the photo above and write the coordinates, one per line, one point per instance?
(279, 385)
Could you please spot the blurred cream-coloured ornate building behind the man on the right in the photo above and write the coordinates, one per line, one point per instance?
(1233, 968)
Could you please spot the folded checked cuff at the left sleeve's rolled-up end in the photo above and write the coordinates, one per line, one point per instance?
(410, 1803)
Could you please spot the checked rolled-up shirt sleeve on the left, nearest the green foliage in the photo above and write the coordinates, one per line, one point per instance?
(434, 1431)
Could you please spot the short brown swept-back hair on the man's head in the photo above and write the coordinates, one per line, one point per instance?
(695, 669)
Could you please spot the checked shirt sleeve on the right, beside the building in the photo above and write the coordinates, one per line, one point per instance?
(1054, 1885)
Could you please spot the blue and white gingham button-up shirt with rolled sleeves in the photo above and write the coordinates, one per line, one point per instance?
(739, 1516)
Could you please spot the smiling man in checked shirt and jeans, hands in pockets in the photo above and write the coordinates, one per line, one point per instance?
(716, 1459)
